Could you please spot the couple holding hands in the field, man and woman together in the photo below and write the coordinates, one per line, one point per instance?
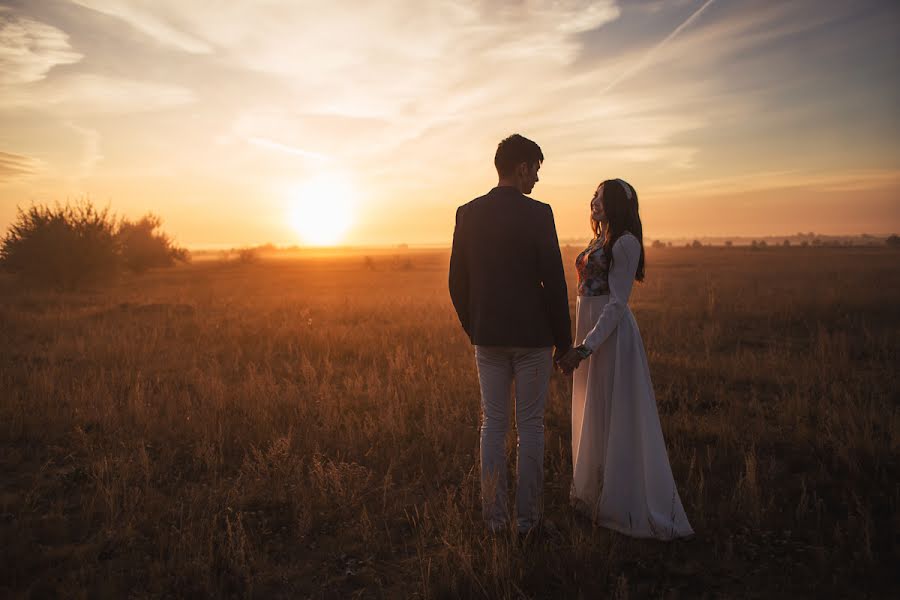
(509, 290)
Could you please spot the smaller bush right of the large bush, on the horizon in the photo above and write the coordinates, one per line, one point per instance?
(143, 247)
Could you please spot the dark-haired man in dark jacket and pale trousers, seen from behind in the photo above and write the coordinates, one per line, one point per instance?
(509, 290)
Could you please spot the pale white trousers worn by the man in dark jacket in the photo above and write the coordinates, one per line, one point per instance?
(530, 368)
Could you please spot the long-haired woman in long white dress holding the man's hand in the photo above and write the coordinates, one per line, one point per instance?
(622, 478)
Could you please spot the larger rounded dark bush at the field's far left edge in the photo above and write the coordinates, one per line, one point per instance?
(62, 245)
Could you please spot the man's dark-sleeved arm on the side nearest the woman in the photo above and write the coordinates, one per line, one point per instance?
(553, 276)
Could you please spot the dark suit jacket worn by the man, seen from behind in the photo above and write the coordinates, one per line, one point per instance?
(506, 274)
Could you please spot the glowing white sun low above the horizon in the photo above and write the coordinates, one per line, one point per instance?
(322, 209)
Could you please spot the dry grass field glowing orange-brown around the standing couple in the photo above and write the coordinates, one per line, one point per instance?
(309, 428)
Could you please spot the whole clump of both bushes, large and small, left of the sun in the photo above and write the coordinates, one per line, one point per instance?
(65, 246)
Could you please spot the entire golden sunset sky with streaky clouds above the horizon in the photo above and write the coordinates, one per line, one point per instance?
(246, 122)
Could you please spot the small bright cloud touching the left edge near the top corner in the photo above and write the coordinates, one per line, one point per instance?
(29, 49)
